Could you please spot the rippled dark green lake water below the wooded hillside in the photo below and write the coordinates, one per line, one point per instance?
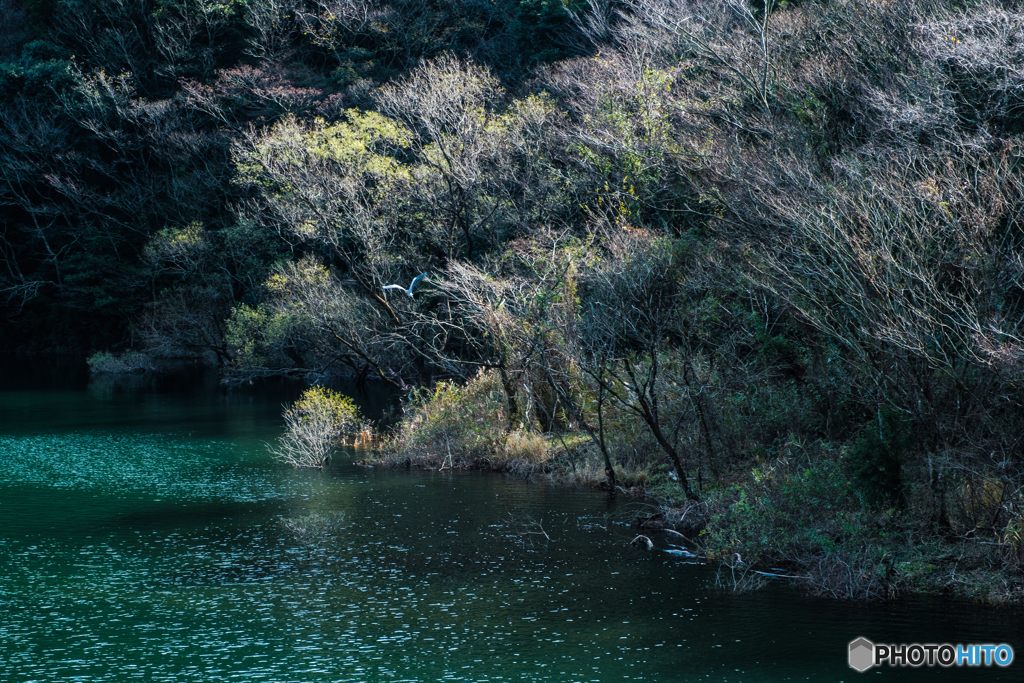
(146, 534)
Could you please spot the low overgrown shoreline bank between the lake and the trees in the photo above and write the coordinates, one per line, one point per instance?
(876, 565)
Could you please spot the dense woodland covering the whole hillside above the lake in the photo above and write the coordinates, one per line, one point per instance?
(763, 261)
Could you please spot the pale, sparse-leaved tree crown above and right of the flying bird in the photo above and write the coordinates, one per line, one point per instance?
(481, 170)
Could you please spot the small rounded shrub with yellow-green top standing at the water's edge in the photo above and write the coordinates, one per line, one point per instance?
(317, 423)
